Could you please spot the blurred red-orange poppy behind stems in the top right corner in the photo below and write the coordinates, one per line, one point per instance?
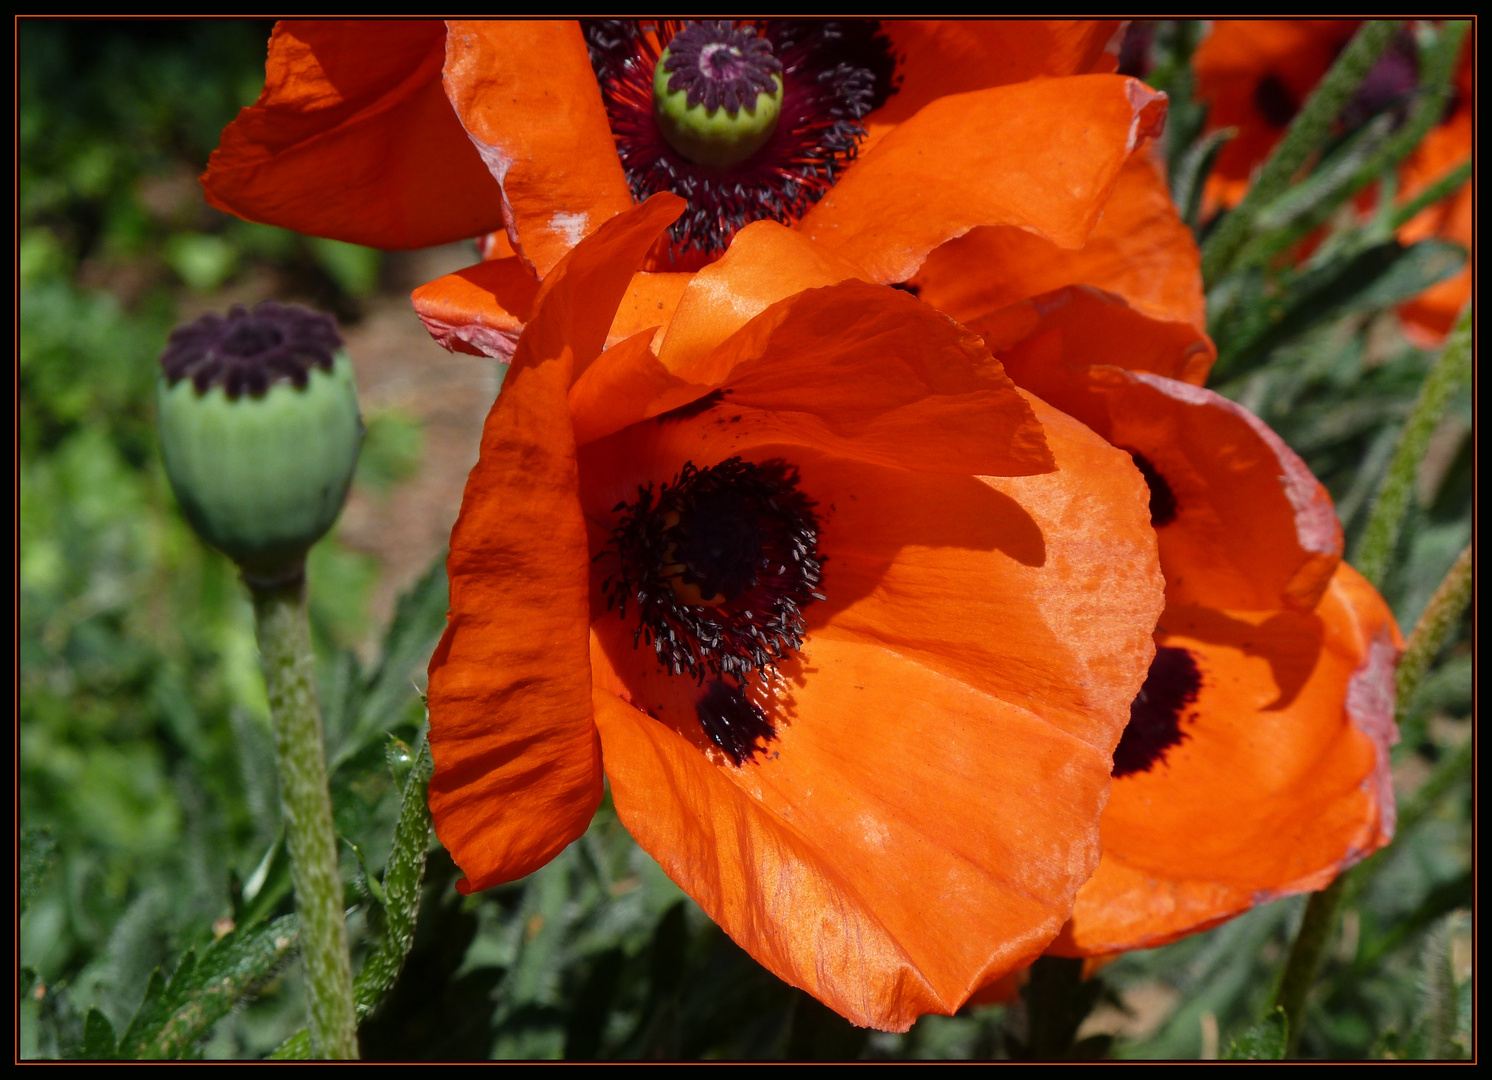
(1256, 75)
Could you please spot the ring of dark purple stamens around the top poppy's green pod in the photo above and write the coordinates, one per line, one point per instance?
(835, 74)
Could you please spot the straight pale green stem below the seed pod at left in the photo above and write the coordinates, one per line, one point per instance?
(284, 633)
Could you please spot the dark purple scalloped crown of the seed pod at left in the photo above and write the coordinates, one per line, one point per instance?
(251, 351)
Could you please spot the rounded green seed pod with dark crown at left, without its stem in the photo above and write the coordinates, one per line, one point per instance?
(260, 433)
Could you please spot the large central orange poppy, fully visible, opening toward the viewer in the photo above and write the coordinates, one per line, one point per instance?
(850, 623)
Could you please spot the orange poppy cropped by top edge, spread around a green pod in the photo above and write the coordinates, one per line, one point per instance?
(893, 141)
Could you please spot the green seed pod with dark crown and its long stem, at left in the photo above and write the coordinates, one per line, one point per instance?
(260, 433)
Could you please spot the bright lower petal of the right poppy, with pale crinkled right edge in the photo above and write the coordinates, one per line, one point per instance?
(1281, 784)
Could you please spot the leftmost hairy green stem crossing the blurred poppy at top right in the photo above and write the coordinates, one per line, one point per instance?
(1306, 135)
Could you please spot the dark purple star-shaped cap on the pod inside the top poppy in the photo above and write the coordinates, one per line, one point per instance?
(714, 63)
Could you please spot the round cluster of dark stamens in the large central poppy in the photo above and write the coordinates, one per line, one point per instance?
(718, 566)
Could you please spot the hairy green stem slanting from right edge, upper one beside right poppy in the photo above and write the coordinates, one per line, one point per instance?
(1391, 505)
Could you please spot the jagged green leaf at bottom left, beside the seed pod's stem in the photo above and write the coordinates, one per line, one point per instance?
(204, 990)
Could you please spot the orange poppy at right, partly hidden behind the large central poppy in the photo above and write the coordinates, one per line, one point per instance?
(1256, 763)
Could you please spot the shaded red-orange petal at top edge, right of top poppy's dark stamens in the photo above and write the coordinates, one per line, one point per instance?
(942, 57)
